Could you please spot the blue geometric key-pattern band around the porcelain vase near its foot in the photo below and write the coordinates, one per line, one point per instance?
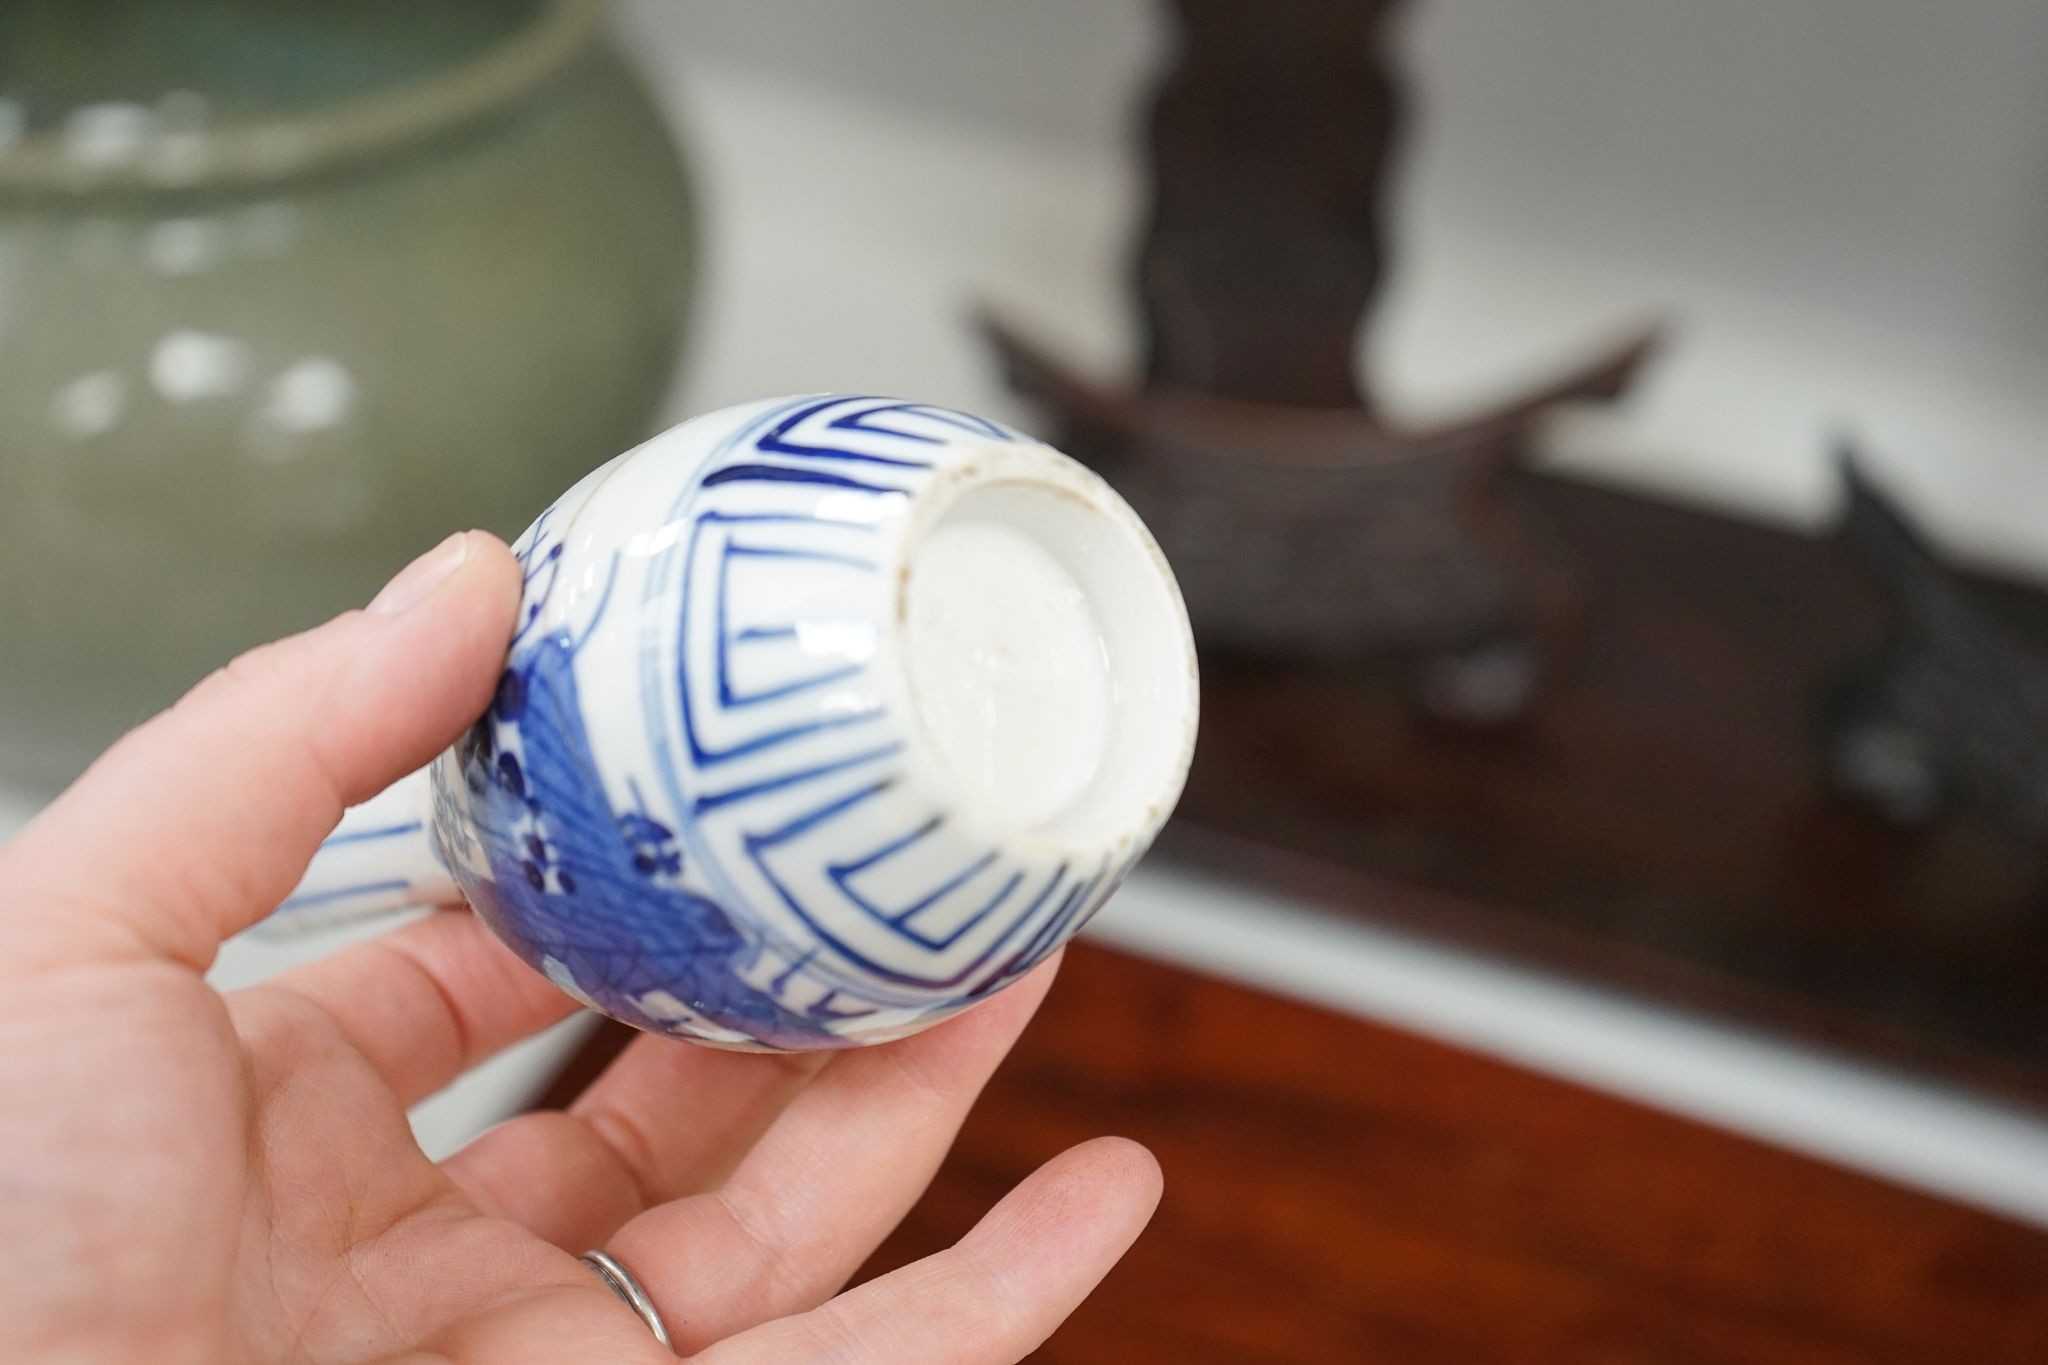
(863, 889)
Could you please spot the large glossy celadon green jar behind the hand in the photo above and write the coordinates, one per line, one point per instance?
(288, 294)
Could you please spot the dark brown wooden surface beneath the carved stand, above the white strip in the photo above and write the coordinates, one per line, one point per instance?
(1664, 820)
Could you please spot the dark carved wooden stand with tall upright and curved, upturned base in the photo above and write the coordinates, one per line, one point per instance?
(1299, 521)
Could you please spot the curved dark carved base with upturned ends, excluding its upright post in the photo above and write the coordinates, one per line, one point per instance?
(1326, 533)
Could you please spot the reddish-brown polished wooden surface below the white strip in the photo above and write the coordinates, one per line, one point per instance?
(1342, 1192)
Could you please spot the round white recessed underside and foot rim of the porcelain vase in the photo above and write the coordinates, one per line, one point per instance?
(1046, 656)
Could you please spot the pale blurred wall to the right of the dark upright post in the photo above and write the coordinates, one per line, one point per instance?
(1844, 206)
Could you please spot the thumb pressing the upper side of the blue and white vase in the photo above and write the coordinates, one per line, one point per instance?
(198, 824)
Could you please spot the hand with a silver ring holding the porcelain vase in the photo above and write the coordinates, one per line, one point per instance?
(189, 1176)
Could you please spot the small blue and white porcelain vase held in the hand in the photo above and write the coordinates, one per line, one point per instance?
(824, 719)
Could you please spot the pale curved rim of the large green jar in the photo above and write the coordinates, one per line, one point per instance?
(284, 148)
